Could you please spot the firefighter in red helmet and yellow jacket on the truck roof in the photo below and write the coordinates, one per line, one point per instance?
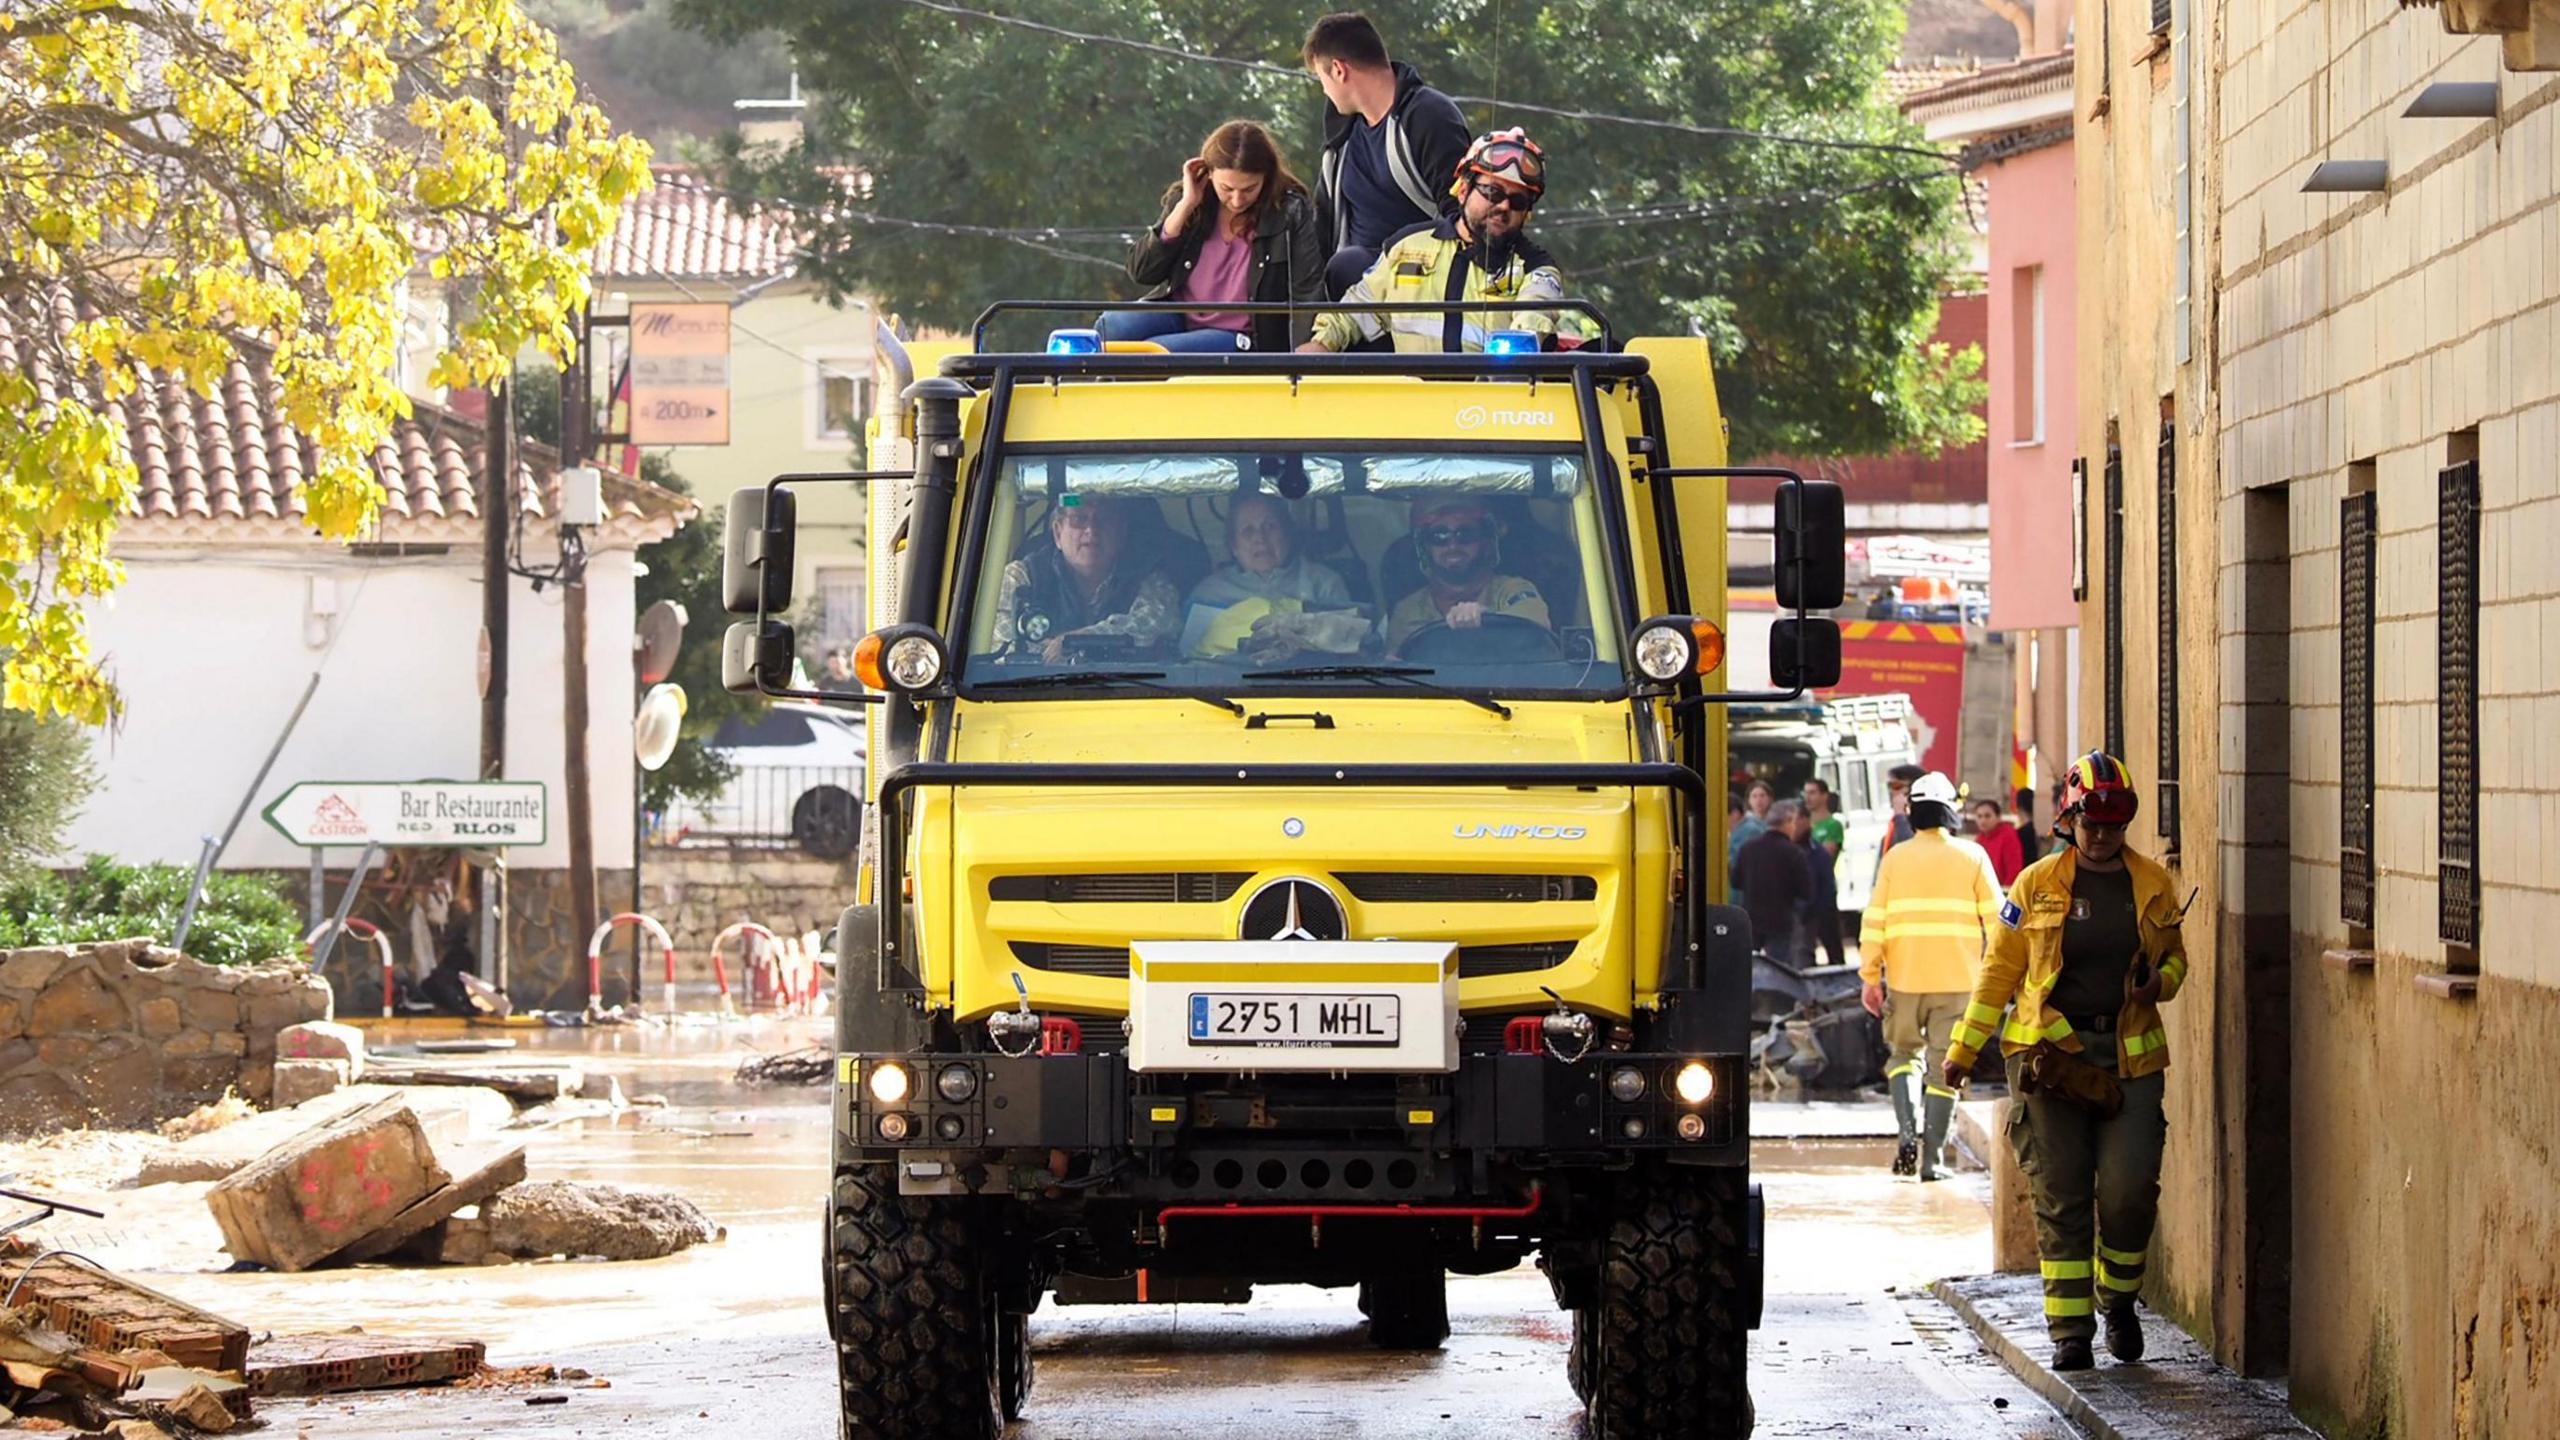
(1476, 255)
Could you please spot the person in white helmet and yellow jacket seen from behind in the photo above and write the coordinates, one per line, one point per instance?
(1932, 919)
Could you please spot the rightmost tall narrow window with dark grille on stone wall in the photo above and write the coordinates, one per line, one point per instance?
(2459, 706)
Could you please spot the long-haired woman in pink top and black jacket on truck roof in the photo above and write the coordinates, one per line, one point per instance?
(1235, 227)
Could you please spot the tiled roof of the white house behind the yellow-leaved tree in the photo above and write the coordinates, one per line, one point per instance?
(227, 465)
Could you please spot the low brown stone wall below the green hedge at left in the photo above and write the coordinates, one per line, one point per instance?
(129, 1034)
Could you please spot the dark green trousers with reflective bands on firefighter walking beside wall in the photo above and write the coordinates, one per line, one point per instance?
(2098, 1193)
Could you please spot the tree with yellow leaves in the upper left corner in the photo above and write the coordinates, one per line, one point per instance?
(186, 178)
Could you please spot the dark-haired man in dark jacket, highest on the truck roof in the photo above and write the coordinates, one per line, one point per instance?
(1389, 147)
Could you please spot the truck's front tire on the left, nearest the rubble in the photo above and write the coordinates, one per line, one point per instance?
(915, 1316)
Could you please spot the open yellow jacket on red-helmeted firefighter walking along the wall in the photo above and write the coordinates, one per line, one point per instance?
(2029, 957)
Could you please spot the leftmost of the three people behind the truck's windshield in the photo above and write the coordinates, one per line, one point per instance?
(1084, 585)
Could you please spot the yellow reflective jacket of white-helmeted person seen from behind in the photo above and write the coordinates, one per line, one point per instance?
(1932, 916)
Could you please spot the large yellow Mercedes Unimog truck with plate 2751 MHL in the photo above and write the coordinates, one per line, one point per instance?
(1294, 855)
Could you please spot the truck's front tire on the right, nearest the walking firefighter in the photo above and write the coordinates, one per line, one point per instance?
(1676, 1311)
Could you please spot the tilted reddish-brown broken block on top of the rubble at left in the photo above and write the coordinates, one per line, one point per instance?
(321, 1193)
